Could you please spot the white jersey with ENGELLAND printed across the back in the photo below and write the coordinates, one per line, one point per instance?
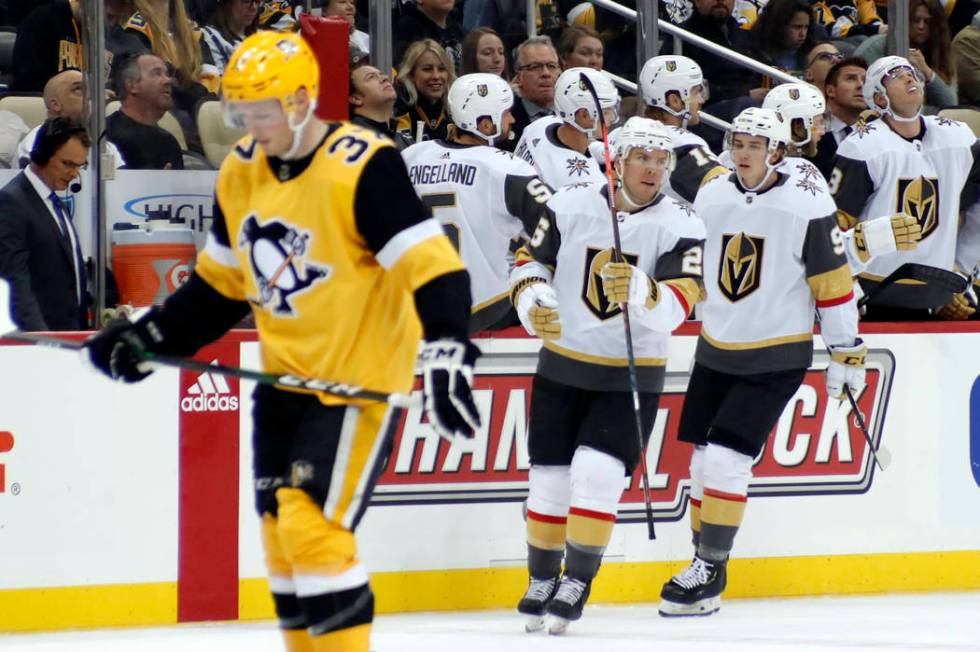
(484, 198)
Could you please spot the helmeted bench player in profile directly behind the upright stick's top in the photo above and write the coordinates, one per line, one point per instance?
(558, 147)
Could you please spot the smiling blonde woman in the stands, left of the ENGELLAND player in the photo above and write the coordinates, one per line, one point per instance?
(424, 77)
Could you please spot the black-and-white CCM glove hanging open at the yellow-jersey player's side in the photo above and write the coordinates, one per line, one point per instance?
(447, 376)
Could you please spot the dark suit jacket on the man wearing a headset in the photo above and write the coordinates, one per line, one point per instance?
(37, 261)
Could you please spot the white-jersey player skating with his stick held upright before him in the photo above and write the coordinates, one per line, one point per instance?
(582, 439)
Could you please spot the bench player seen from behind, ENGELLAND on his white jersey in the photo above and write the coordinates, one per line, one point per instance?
(482, 196)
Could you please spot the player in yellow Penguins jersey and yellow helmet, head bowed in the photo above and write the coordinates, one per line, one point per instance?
(318, 232)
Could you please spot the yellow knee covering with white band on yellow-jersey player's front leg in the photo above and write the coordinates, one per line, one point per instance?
(321, 554)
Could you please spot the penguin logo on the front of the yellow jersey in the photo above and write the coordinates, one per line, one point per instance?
(276, 255)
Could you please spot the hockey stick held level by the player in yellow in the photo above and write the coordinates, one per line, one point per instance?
(8, 330)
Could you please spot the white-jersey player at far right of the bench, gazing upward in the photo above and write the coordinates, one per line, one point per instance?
(904, 163)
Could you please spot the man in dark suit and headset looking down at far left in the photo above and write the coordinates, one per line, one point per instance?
(40, 253)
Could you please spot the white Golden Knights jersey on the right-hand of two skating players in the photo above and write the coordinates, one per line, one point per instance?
(769, 259)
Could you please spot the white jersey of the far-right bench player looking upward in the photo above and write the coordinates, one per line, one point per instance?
(878, 172)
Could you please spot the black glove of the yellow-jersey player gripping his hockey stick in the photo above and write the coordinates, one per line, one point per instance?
(117, 349)
